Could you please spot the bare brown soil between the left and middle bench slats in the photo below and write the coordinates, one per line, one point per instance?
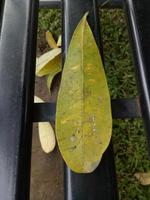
(47, 169)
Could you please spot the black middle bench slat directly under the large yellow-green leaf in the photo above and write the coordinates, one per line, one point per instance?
(100, 184)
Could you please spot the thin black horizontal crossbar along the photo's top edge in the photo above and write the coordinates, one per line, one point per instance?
(101, 3)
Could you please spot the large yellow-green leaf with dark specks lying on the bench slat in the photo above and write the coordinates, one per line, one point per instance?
(83, 118)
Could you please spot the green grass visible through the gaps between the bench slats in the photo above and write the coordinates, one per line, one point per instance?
(128, 135)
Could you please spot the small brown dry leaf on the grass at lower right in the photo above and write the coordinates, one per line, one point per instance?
(143, 178)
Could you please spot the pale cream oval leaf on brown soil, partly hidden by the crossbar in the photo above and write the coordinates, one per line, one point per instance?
(46, 133)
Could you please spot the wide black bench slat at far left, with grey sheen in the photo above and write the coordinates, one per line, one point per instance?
(17, 61)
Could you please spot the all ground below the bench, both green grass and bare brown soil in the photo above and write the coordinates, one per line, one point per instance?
(128, 135)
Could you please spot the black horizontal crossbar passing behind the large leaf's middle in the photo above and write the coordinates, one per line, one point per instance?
(121, 109)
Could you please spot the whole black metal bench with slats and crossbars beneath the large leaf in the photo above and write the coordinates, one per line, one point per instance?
(18, 25)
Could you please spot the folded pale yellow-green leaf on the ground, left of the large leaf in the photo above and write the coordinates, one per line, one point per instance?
(50, 61)
